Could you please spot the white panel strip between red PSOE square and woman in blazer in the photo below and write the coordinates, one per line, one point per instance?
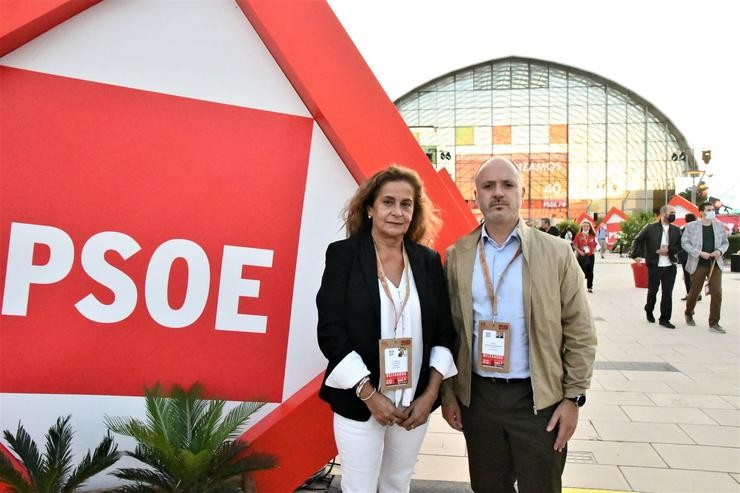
(329, 187)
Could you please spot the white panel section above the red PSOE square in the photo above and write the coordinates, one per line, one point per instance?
(199, 49)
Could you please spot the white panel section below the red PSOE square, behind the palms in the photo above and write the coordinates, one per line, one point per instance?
(38, 412)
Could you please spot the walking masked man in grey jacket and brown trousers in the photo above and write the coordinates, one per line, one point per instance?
(705, 241)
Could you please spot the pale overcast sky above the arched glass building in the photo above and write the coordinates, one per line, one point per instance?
(679, 55)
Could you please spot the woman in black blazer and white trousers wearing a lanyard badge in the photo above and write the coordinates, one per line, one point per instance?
(381, 284)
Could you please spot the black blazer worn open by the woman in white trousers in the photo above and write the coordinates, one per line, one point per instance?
(348, 305)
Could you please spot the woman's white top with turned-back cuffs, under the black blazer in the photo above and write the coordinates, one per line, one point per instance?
(351, 369)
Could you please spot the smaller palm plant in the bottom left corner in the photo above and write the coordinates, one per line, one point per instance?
(51, 472)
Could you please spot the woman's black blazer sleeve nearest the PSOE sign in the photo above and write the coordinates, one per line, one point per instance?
(331, 303)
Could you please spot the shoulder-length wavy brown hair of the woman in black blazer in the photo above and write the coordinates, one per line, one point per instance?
(425, 221)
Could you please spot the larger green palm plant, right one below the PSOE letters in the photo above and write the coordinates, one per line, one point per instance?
(188, 444)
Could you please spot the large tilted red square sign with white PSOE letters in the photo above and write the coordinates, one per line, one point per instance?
(121, 263)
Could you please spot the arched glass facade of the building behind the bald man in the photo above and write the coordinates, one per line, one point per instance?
(583, 143)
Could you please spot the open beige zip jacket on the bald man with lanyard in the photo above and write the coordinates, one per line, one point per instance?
(562, 337)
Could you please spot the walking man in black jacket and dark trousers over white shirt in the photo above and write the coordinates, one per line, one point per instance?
(659, 244)
